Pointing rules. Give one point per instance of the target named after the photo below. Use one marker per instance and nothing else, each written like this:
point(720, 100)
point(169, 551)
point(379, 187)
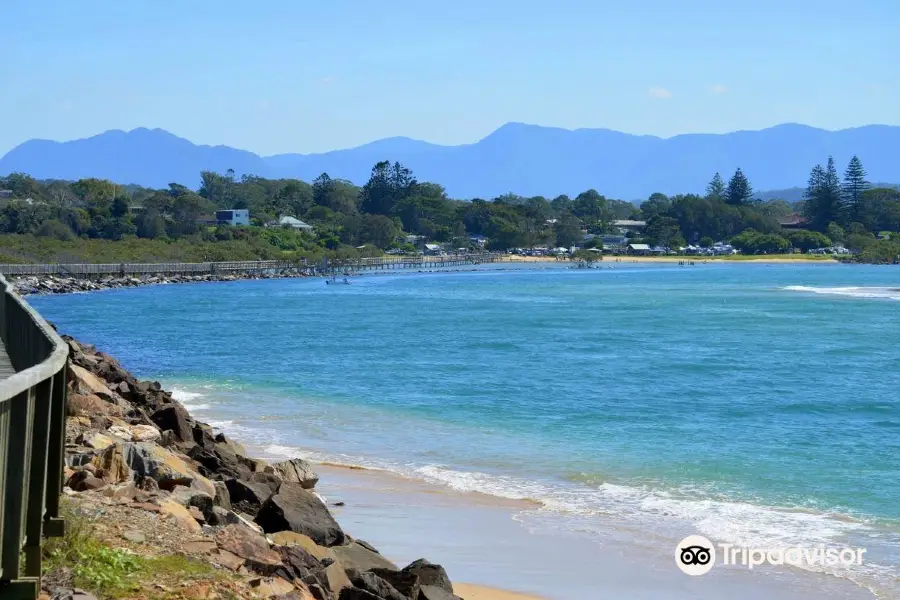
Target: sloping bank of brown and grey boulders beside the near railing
point(167, 481)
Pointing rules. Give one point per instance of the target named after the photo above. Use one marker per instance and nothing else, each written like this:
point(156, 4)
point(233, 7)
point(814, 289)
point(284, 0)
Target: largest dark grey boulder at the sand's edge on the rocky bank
point(295, 509)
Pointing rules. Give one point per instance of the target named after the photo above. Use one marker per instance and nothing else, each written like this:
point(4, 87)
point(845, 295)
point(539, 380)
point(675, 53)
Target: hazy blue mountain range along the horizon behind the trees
point(524, 159)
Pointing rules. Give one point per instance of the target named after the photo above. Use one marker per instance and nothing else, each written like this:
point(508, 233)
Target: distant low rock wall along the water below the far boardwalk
point(50, 284)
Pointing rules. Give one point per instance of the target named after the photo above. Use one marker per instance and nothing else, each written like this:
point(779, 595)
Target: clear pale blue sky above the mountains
point(276, 76)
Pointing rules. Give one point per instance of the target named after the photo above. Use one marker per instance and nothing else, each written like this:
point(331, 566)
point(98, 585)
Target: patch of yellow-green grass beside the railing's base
point(113, 573)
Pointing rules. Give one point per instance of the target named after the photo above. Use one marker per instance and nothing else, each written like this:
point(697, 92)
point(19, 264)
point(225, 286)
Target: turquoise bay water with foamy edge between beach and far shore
point(755, 404)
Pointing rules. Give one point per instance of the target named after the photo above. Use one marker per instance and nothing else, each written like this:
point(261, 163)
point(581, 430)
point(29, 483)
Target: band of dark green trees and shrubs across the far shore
point(98, 221)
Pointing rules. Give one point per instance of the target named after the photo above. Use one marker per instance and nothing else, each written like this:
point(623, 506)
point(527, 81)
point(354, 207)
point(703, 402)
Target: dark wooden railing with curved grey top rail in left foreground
point(32, 441)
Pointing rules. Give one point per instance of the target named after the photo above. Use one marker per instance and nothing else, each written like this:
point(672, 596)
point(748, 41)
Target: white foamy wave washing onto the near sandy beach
point(589, 505)
